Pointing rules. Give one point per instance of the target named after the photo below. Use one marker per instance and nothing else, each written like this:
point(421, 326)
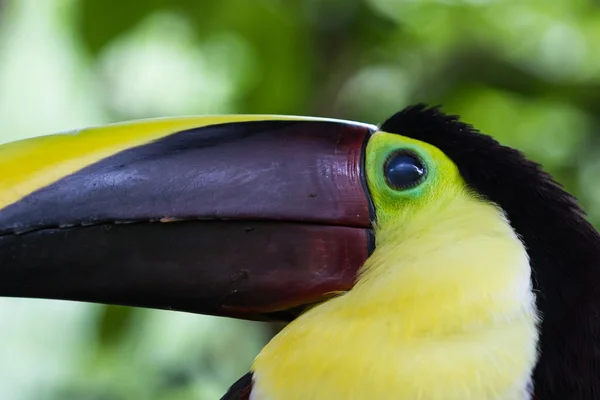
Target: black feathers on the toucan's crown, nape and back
point(563, 247)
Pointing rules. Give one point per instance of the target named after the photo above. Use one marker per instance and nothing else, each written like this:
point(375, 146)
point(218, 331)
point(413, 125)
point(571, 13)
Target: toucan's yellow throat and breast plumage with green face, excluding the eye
point(443, 309)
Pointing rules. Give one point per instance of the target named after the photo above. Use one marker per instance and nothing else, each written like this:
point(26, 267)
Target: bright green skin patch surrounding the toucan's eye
point(393, 204)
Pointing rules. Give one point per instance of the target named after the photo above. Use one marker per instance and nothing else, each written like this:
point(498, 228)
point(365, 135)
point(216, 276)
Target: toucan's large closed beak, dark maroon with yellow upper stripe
point(245, 219)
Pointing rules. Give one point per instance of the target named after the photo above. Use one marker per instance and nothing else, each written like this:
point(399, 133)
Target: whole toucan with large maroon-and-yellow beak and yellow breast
point(417, 259)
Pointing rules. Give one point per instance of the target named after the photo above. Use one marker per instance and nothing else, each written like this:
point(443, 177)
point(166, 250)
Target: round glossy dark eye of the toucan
point(404, 170)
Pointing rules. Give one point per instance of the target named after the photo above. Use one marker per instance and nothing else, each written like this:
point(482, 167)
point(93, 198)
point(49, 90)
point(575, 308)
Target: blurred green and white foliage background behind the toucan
point(524, 71)
